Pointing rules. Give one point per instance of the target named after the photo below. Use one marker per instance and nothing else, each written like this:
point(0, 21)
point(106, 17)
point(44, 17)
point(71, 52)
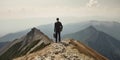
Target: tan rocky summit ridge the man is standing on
point(68, 49)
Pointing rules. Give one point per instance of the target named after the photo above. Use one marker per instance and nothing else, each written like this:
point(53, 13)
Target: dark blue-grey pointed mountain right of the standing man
point(99, 41)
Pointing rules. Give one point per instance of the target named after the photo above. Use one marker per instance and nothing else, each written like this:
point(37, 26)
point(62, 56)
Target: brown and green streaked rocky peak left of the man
point(31, 42)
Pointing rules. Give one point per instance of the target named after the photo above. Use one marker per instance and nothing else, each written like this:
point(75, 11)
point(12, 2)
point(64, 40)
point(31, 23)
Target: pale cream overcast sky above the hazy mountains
point(17, 15)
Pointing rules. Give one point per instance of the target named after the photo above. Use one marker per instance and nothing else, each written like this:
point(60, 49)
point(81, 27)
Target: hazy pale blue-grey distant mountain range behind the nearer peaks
point(111, 28)
